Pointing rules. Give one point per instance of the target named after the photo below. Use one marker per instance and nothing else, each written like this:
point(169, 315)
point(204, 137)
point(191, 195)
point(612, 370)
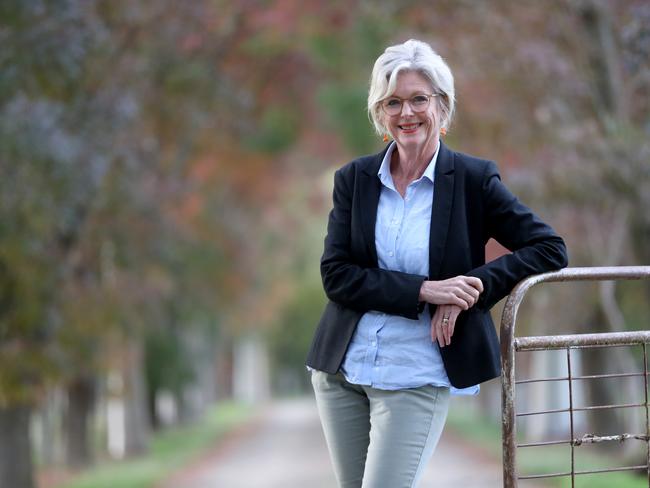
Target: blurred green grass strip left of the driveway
point(170, 451)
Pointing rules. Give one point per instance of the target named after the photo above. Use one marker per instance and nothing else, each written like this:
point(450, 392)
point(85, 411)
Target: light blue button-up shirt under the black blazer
point(390, 352)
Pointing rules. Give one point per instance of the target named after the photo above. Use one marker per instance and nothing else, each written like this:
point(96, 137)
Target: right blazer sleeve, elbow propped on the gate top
point(535, 246)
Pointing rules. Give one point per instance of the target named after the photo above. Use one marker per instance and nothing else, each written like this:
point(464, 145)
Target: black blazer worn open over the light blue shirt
point(470, 205)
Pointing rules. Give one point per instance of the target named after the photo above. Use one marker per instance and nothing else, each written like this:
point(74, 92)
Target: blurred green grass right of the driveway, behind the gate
point(485, 433)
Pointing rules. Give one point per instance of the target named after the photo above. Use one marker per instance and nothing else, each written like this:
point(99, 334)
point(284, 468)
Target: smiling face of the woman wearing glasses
point(410, 129)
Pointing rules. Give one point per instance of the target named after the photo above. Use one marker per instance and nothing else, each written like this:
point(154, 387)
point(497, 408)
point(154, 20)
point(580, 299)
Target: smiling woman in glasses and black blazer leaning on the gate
point(404, 269)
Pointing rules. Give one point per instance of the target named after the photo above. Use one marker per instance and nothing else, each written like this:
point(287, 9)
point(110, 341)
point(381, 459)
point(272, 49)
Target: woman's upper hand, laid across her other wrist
point(459, 290)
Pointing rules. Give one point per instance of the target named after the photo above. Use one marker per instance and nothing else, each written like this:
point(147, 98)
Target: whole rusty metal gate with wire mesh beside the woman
point(510, 345)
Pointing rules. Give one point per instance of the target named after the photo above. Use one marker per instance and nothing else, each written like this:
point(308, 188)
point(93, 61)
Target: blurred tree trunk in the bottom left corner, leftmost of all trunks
point(15, 449)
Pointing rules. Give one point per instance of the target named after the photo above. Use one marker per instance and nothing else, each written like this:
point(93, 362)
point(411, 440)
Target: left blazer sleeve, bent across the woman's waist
point(352, 285)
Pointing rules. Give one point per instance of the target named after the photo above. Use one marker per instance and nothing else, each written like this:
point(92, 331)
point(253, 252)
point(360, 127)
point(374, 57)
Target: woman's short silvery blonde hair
point(413, 55)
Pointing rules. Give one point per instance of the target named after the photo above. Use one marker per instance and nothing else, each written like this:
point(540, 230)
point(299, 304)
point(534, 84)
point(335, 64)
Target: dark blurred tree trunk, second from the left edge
point(81, 401)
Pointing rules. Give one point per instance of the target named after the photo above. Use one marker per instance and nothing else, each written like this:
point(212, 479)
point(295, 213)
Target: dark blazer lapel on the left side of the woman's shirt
point(370, 188)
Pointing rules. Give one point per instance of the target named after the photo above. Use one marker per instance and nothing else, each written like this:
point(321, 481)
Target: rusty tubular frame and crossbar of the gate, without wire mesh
point(507, 338)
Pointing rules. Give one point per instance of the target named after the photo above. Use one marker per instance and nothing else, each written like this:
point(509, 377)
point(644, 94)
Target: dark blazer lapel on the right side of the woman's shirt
point(443, 196)
